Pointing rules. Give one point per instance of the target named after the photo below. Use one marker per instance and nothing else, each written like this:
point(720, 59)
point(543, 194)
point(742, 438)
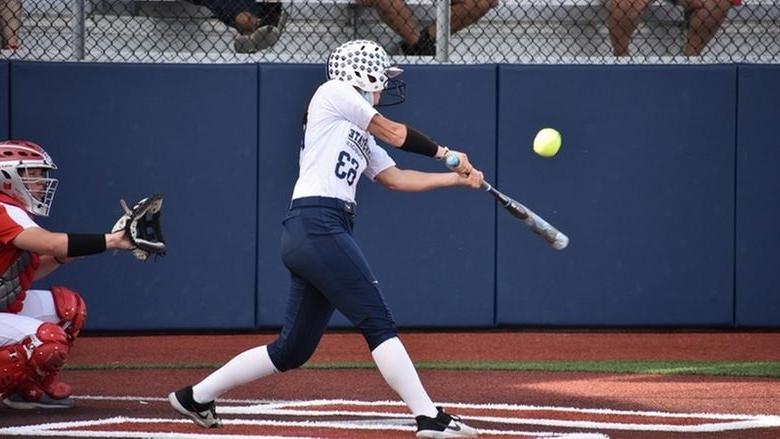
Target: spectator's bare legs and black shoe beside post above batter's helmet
point(419, 41)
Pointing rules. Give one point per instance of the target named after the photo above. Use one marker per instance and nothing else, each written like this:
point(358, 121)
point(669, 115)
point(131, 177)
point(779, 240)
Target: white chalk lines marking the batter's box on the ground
point(390, 420)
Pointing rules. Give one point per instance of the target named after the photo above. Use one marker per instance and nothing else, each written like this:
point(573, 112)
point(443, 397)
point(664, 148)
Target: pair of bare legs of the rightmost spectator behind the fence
point(703, 17)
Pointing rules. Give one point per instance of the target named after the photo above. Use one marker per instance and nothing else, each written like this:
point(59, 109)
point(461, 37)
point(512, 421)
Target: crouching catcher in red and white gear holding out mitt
point(38, 326)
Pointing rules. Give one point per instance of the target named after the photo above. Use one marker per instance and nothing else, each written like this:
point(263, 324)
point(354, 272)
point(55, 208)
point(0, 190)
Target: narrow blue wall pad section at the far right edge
point(758, 197)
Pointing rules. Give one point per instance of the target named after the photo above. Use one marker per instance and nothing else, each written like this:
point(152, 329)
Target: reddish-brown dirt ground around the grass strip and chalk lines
point(690, 394)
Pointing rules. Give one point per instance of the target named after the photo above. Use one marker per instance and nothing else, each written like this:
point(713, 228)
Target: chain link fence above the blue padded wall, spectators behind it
point(416, 31)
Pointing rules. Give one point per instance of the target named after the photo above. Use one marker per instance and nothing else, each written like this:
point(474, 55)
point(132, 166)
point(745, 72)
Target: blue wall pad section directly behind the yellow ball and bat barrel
point(644, 185)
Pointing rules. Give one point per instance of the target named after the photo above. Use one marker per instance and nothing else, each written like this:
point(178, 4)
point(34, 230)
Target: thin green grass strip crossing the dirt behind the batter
point(715, 368)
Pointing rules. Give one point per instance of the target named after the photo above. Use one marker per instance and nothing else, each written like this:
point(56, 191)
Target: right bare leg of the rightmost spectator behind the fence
point(706, 17)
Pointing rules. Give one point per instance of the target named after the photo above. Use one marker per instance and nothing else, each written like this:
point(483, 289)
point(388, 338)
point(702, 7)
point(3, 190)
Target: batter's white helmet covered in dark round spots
point(362, 63)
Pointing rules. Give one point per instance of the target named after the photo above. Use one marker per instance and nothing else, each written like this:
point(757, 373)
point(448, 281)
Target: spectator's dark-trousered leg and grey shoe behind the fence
point(259, 25)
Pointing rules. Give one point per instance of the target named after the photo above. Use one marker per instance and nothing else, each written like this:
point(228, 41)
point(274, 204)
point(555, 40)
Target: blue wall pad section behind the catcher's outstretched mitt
point(130, 130)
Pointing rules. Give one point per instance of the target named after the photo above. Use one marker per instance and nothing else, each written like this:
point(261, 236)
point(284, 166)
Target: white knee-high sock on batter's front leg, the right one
point(399, 372)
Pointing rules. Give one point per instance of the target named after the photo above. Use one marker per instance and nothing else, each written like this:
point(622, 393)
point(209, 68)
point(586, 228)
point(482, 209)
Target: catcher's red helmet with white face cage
point(35, 190)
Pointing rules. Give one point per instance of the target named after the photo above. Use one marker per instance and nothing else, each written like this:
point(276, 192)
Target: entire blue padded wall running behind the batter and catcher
point(666, 182)
